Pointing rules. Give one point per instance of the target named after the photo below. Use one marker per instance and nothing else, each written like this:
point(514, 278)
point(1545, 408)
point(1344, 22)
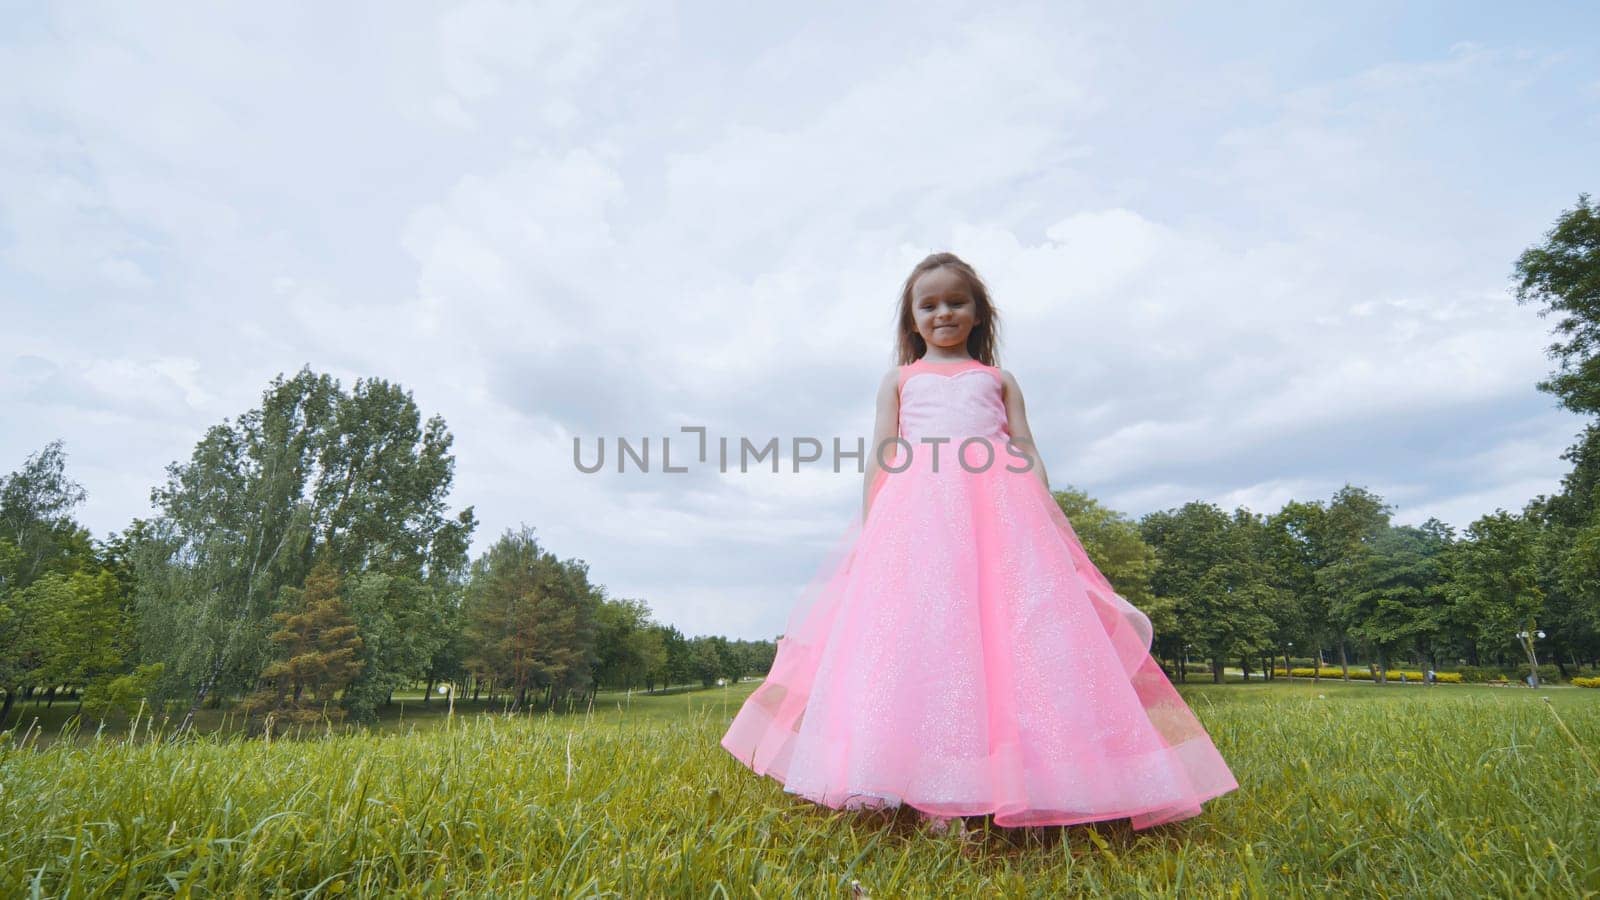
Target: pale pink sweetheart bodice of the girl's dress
point(951, 400)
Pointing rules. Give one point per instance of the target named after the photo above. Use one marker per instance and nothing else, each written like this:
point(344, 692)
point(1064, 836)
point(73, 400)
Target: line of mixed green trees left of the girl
point(305, 565)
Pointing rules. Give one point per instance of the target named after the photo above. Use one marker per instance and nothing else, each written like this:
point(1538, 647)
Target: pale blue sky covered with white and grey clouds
point(1241, 255)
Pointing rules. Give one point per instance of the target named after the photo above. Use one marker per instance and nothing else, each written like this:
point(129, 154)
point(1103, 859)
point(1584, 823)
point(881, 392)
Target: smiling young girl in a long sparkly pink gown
point(959, 653)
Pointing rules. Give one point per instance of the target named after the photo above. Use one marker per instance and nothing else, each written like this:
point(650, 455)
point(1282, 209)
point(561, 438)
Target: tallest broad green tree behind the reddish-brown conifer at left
point(313, 473)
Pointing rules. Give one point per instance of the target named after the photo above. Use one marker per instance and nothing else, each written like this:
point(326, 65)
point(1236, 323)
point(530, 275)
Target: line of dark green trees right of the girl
point(1340, 582)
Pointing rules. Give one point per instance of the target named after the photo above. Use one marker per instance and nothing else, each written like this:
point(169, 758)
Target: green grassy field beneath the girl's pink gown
point(1390, 792)
